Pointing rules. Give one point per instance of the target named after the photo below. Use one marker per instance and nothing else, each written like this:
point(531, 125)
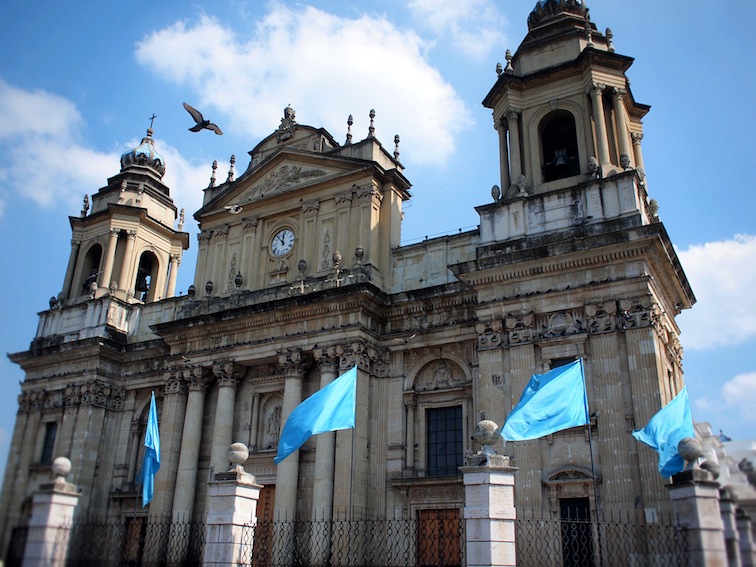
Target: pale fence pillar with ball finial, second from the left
point(232, 511)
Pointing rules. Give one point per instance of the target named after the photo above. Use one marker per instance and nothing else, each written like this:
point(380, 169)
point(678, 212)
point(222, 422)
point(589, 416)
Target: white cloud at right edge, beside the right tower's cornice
point(723, 277)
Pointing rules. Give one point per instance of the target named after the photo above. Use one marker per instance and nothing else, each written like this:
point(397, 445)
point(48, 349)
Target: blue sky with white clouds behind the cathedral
point(79, 81)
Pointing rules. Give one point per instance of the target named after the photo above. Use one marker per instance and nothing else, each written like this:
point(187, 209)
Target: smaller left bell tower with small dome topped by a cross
point(125, 245)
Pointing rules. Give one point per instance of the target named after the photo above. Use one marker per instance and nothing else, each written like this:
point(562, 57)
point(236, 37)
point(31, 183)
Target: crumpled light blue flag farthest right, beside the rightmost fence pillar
point(666, 429)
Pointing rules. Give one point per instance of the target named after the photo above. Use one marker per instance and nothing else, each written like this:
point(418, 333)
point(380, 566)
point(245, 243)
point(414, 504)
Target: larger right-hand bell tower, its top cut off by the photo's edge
point(562, 104)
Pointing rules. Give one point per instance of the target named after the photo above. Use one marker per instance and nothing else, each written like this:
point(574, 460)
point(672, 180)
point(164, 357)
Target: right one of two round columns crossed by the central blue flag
point(325, 443)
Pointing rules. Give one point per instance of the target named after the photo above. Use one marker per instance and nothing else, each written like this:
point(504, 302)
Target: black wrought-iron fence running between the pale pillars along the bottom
point(422, 541)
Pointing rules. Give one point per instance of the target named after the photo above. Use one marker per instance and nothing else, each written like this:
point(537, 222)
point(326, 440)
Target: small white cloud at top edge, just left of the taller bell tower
point(472, 25)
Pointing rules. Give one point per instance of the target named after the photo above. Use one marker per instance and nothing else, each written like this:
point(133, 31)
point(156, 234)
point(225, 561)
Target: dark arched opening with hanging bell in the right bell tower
point(559, 146)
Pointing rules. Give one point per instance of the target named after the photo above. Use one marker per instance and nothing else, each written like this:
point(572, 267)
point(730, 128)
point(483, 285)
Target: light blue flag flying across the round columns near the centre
point(330, 409)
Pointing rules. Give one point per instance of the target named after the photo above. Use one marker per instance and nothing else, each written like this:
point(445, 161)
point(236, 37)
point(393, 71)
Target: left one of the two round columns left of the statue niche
point(186, 475)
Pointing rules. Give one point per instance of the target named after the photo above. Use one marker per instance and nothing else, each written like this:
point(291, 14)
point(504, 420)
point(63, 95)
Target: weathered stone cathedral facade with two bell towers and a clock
point(300, 276)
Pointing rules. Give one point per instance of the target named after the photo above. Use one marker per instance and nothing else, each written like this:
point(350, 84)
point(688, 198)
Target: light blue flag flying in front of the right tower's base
point(551, 402)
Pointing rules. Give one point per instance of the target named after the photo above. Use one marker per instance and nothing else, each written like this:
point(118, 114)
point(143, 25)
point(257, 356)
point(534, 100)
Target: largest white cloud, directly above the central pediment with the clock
point(325, 66)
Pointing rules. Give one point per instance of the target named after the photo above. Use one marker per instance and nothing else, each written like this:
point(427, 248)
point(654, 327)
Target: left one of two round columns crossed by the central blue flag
point(287, 473)
